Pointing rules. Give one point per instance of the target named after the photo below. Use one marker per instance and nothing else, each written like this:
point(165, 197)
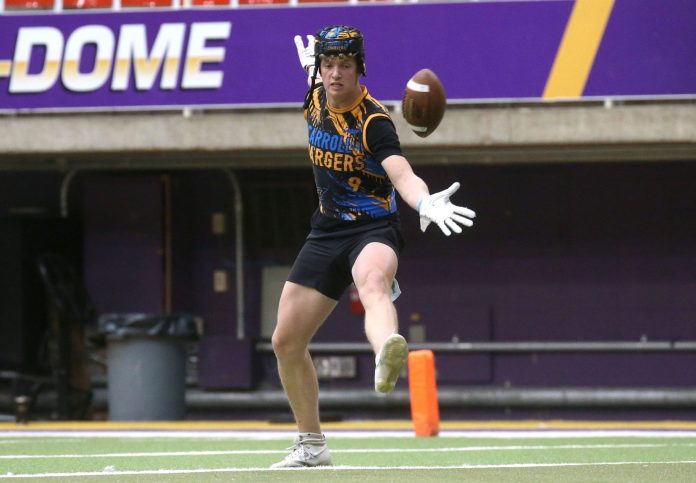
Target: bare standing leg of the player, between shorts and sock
point(301, 312)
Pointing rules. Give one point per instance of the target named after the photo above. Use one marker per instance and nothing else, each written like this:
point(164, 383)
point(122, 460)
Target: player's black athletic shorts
point(327, 256)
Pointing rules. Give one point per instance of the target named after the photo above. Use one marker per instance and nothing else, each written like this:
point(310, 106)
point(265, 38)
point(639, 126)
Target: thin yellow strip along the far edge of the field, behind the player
point(344, 425)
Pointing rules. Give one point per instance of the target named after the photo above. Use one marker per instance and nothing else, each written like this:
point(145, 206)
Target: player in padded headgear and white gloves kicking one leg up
point(355, 233)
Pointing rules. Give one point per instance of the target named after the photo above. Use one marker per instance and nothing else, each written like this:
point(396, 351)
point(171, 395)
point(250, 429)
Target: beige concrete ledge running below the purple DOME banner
point(483, 134)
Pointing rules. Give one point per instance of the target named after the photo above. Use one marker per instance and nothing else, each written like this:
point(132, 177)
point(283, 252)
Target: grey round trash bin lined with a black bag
point(146, 365)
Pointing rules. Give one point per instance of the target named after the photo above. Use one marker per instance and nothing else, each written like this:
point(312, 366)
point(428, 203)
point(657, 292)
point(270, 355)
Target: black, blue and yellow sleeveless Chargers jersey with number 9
point(350, 180)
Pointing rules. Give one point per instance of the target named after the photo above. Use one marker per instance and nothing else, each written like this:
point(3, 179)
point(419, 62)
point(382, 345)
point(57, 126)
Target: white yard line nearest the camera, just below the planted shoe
point(342, 468)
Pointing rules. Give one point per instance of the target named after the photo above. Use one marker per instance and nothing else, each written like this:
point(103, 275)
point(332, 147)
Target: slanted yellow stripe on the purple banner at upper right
point(578, 49)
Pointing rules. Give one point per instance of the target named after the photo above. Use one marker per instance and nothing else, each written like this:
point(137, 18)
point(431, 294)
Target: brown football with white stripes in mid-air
point(424, 102)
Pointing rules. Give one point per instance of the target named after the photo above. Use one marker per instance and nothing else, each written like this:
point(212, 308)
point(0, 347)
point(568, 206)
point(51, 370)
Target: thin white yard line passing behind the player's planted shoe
point(348, 451)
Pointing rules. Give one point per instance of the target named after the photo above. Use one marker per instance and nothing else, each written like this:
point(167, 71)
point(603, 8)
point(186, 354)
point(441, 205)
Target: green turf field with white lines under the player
point(472, 456)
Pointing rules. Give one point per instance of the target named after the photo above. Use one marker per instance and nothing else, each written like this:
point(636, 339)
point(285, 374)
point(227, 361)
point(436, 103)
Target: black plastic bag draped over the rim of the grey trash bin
point(148, 325)
